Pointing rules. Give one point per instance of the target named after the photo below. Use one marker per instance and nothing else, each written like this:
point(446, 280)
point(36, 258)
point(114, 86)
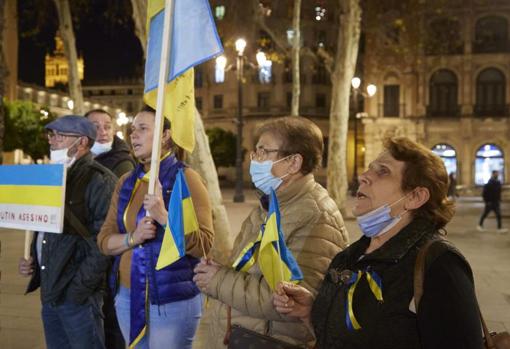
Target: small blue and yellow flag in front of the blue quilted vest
point(182, 220)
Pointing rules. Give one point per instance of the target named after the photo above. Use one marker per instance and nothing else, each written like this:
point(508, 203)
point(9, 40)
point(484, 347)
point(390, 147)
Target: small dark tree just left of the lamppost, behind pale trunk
point(223, 146)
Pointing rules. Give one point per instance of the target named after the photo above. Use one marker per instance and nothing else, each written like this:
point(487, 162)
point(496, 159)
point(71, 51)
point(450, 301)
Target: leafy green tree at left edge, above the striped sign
point(24, 128)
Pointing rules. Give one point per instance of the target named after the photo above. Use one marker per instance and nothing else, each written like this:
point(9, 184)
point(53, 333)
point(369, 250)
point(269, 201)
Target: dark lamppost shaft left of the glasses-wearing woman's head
point(239, 196)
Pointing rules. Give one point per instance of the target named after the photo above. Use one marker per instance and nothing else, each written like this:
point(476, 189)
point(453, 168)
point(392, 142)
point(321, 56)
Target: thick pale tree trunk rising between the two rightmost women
point(344, 68)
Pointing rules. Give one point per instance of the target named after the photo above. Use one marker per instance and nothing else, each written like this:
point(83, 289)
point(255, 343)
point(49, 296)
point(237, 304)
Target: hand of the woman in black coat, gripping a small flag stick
point(293, 300)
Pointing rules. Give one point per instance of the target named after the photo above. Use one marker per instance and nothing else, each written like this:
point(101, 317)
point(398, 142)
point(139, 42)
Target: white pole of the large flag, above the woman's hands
point(160, 102)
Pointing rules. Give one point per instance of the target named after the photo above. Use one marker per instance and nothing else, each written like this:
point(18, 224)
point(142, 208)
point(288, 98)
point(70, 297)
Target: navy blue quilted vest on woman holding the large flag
point(170, 284)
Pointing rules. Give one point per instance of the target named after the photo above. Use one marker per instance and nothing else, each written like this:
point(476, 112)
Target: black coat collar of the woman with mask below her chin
point(397, 247)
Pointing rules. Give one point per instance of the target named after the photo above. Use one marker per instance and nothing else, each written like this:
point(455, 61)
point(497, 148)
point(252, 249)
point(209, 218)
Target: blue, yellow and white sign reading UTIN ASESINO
point(32, 197)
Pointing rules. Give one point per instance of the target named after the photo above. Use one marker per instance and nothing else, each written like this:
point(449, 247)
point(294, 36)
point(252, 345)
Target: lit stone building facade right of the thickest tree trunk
point(451, 93)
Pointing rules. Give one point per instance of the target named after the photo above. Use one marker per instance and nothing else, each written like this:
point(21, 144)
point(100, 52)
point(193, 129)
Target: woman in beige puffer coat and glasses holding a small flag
point(296, 221)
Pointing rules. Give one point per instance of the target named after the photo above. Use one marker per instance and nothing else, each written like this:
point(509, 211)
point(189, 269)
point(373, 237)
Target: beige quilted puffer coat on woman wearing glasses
point(314, 232)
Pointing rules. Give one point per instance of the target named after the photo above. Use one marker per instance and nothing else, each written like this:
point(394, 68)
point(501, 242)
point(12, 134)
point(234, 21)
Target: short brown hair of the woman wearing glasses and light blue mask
point(299, 136)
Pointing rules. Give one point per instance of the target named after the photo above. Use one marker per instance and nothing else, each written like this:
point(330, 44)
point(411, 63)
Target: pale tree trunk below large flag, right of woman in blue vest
point(201, 160)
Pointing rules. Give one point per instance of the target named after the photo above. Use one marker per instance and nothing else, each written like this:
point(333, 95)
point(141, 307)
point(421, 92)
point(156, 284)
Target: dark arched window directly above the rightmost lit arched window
point(490, 93)
